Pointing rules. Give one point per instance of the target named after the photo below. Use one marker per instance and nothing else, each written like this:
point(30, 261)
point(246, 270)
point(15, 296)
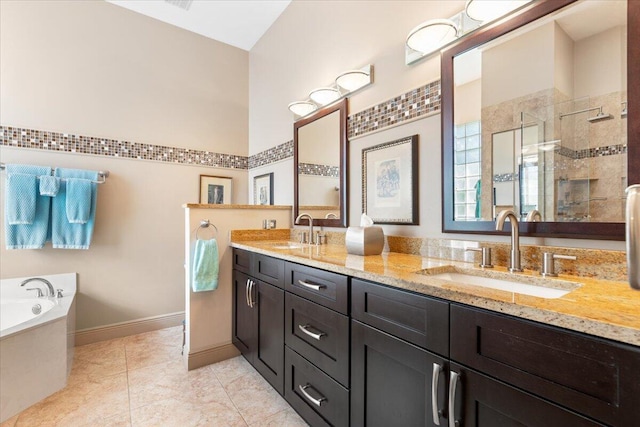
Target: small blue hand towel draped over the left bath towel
point(21, 198)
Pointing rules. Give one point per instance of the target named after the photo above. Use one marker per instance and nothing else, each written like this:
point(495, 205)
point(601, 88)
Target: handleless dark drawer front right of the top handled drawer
point(421, 320)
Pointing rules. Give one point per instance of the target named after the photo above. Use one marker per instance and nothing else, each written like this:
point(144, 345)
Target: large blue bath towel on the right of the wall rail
point(64, 234)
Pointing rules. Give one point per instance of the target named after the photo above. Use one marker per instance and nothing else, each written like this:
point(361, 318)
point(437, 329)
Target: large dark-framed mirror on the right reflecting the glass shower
point(538, 117)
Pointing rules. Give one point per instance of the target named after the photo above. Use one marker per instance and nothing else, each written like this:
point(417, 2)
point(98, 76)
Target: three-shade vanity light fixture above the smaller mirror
point(344, 85)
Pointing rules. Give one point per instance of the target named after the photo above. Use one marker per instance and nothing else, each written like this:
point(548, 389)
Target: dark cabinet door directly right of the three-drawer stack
point(393, 382)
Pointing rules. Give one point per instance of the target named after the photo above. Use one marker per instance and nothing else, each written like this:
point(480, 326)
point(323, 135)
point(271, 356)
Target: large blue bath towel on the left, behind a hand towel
point(34, 235)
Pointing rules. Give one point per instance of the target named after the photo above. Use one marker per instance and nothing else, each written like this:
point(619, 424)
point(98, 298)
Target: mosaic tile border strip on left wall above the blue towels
point(81, 144)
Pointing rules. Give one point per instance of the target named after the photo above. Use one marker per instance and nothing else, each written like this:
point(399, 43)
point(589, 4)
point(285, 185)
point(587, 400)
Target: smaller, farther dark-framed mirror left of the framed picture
point(320, 172)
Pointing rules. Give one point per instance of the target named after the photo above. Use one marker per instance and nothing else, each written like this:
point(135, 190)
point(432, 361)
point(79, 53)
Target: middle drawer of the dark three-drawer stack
point(320, 335)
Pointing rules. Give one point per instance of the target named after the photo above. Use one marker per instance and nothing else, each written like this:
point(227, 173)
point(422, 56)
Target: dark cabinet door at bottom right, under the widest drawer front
point(481, 401)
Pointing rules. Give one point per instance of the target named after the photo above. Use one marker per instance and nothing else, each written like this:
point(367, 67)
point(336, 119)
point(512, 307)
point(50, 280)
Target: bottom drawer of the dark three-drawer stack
point(320, 400)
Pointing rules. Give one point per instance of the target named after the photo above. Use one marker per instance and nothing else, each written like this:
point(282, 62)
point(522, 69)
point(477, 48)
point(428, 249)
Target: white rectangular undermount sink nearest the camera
point(527, 285)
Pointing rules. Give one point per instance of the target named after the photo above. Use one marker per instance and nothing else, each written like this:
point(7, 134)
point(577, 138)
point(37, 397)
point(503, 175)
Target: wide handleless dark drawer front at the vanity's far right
point(589, 375)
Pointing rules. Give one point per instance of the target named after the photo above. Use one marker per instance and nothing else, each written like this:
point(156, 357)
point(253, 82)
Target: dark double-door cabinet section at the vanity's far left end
point(258, 322)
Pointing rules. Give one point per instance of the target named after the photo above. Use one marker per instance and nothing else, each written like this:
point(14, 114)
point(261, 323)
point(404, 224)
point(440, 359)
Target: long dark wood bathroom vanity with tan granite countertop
point(374, 341)
